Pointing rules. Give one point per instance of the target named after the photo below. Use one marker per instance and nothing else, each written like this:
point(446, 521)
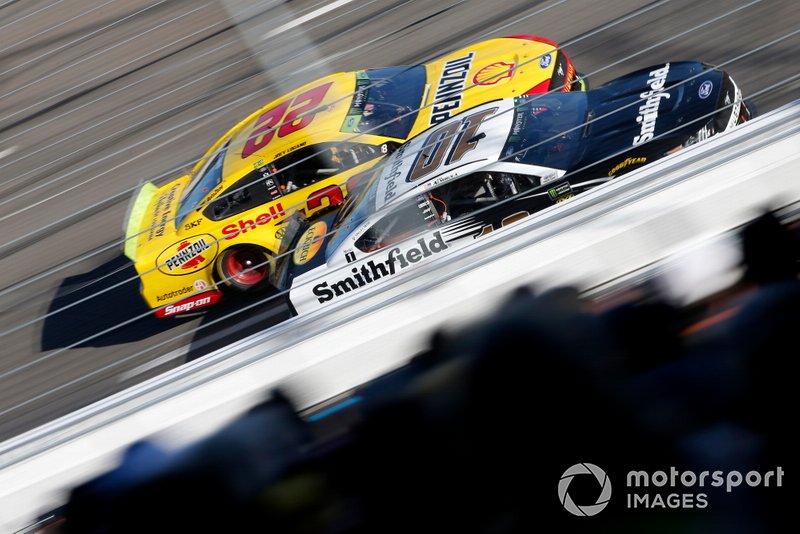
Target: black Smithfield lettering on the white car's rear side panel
point(371, 271)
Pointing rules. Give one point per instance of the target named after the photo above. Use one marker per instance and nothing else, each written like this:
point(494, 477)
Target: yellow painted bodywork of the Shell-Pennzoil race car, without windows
point(178, 261)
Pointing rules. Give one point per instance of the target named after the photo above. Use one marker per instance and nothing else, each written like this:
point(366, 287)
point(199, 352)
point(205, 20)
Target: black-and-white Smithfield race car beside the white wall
point(492, 166)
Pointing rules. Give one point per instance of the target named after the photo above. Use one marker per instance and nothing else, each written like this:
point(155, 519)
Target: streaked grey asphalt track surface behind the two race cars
point(98, 95)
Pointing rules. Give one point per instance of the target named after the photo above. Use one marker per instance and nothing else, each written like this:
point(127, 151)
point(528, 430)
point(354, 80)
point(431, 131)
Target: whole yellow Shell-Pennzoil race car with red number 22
point(196, 238)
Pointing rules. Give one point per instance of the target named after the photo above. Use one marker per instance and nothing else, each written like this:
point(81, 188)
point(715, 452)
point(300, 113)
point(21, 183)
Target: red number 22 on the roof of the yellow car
point(292, 115)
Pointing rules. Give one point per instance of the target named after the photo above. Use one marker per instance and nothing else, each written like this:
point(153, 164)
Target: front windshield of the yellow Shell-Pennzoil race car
point(386, 101)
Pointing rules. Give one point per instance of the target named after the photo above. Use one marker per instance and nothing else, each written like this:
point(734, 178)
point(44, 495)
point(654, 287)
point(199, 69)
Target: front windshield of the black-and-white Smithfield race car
point(548, 130)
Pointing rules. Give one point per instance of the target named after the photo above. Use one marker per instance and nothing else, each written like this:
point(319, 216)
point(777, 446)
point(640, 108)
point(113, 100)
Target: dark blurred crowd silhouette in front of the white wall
point(474, 434)
